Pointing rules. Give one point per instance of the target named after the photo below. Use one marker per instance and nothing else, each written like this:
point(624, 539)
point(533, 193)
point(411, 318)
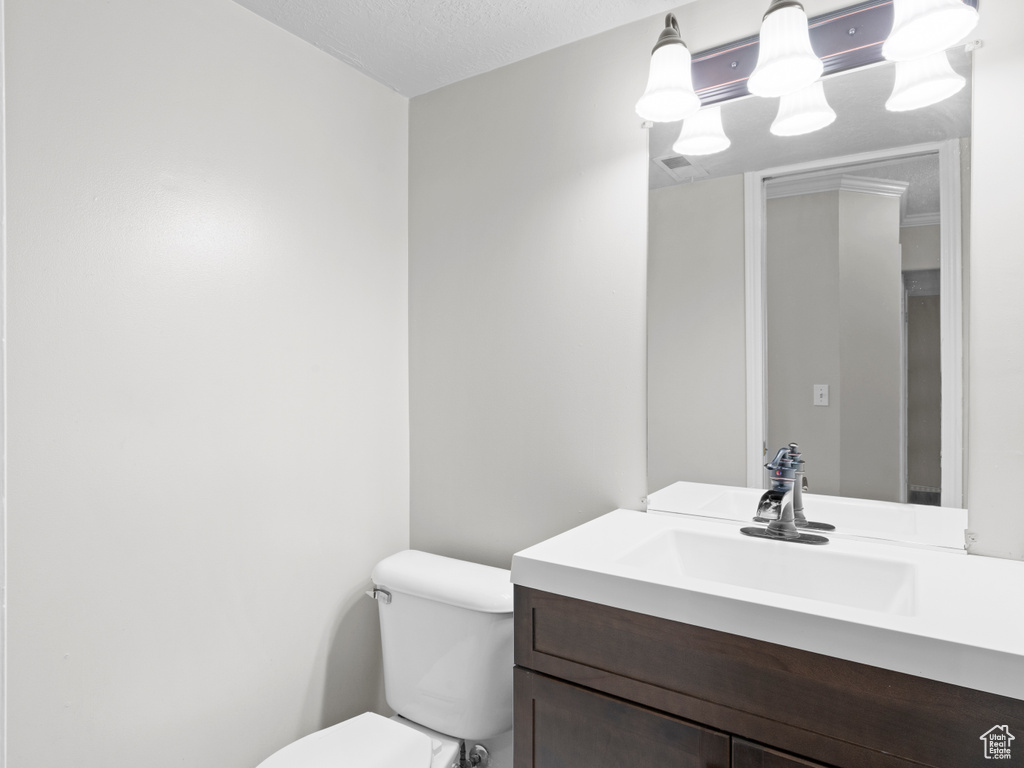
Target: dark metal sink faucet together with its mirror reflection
point(783, 505)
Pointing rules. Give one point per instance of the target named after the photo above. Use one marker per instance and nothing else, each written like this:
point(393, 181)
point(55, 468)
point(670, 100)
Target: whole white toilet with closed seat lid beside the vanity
point(447, 643)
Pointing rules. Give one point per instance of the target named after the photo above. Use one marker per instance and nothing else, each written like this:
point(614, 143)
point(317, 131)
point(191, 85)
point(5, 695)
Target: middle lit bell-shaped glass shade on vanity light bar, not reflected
point(786, 61)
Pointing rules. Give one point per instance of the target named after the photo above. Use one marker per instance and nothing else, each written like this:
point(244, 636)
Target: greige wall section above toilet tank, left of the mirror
point(528, 252)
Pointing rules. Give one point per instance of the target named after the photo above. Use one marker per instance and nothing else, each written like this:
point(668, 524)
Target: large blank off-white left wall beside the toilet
point(208, 418)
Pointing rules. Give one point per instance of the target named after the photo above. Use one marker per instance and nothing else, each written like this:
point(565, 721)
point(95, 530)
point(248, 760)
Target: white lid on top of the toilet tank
point(466, 585)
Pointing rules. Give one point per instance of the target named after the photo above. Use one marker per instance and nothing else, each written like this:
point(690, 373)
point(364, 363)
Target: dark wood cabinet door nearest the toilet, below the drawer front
point(559, 726)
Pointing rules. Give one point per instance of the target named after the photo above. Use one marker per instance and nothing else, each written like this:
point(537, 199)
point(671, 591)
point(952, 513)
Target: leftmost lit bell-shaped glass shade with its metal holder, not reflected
point(670, 94)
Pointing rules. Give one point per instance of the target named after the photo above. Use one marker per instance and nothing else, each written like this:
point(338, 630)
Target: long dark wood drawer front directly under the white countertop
point(837, 712)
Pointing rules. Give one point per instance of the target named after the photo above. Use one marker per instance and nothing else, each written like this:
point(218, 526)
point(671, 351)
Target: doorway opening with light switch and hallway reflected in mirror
point(852, 268)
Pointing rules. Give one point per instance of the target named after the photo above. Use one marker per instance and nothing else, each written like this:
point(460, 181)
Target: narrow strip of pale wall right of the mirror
point(997, 414)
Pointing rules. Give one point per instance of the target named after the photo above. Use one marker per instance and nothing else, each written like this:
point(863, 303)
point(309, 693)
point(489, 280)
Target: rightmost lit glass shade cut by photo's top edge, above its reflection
point(925, 27)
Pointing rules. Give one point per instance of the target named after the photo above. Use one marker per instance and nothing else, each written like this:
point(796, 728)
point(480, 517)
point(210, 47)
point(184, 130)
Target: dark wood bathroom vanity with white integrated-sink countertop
point(665, 641)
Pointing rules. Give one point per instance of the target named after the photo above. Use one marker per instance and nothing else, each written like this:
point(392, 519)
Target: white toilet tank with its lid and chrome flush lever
point(447, 641)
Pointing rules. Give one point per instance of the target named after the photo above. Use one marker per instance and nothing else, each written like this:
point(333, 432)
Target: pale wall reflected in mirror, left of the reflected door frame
point(697, 388)
